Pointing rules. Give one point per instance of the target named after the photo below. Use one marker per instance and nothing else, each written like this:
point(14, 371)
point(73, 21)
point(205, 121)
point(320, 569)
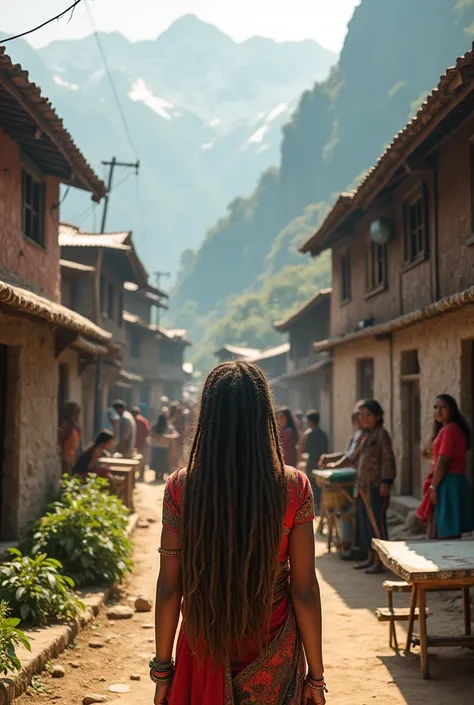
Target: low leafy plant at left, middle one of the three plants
point(36, 590)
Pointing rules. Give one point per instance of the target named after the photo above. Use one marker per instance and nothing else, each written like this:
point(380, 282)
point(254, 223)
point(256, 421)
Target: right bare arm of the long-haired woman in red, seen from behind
point(306, 596)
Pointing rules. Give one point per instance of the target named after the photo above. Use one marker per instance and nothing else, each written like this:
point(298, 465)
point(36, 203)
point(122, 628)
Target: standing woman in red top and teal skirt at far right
point(447, 506)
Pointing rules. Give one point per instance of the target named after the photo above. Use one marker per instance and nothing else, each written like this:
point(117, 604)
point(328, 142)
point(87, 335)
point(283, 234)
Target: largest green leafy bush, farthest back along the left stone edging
point(86, 529)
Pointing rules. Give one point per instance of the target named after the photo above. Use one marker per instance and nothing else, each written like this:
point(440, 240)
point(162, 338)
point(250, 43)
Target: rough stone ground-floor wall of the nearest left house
point(31, 472)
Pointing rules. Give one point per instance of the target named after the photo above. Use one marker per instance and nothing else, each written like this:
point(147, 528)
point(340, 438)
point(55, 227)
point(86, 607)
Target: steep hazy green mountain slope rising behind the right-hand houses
point(248, 272)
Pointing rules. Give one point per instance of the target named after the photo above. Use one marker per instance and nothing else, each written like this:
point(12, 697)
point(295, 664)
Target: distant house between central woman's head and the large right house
point(308, 375)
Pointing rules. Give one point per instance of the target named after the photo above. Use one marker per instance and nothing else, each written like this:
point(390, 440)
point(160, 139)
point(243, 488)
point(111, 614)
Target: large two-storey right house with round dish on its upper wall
point(402, 321)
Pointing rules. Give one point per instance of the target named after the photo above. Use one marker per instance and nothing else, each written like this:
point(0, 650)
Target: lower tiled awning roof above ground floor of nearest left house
point(30, 303)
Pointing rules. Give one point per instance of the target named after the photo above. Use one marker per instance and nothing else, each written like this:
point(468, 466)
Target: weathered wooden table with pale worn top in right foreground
point(432, 566)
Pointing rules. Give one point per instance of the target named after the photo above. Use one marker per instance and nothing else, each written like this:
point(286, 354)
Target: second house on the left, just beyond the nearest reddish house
point(94, 269)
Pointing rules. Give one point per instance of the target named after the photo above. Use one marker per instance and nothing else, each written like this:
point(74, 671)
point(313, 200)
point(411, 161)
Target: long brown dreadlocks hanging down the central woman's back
point(234, 506)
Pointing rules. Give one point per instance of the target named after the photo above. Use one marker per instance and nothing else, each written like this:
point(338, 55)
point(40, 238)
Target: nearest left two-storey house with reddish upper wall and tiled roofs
point(37, 154)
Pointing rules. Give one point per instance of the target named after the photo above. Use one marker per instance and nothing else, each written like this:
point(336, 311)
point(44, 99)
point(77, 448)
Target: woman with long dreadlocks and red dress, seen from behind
point(237, 557)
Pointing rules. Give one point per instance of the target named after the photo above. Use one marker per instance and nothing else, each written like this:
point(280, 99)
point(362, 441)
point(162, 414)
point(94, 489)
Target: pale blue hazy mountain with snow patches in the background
point(204, 115)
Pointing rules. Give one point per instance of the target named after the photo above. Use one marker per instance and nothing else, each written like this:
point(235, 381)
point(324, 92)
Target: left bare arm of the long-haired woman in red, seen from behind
point(169, 593)
